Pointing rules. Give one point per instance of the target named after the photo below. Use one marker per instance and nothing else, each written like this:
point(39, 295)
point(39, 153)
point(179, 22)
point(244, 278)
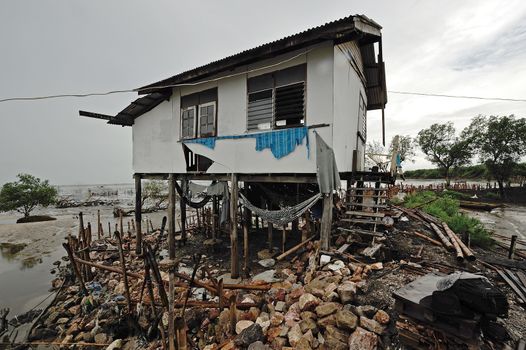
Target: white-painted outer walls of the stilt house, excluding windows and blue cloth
point(332, 93)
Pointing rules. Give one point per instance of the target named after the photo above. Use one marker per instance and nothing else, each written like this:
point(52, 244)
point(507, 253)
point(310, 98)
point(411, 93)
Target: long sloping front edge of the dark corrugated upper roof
point(288, 43)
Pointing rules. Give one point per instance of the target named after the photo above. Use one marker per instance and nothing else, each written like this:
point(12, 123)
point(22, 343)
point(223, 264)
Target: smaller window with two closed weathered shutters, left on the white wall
point(198, 114)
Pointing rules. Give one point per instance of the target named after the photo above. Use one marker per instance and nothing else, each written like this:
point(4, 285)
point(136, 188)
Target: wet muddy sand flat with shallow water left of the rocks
point(28, 251)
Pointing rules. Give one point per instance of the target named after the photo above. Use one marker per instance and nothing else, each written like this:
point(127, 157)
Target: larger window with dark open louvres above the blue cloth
point(277, 99)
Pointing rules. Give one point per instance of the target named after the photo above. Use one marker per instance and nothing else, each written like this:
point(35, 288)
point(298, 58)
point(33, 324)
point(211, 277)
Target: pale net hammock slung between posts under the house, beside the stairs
point(282, 216)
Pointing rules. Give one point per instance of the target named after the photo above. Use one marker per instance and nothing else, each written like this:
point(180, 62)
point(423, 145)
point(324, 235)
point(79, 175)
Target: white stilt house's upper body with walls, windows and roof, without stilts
point(212, 119)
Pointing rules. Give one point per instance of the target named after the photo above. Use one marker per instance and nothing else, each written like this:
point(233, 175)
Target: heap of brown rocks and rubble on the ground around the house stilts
point(313, 299)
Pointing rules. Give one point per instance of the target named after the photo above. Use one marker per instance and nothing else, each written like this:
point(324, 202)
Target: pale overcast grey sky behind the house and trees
point(51, 47)
